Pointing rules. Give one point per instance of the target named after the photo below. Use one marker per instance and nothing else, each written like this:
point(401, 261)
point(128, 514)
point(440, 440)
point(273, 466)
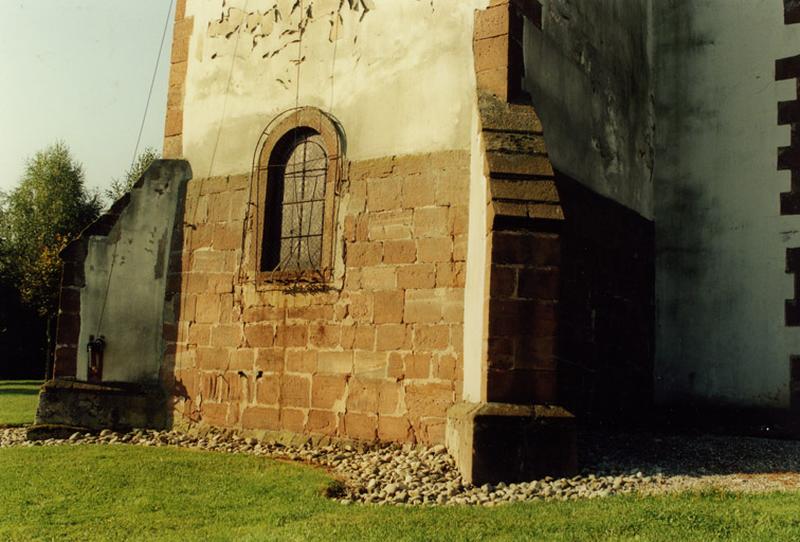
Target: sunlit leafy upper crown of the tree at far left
point(38, 218)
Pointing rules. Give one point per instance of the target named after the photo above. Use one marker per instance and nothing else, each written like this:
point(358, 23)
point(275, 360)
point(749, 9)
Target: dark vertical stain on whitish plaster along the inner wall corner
point(688, 219)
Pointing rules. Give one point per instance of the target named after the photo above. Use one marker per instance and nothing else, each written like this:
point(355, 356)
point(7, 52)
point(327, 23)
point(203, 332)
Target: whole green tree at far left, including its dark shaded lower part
point(48, 209)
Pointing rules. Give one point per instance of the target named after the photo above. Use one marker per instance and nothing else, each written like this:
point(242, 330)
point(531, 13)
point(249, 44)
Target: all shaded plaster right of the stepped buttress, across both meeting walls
point(670, 109)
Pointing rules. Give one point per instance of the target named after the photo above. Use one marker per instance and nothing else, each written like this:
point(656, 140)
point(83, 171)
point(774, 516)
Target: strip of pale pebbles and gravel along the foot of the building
point(407, 475)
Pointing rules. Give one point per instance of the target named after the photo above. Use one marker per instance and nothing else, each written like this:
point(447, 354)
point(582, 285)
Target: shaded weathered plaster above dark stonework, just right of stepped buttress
point(588, 70)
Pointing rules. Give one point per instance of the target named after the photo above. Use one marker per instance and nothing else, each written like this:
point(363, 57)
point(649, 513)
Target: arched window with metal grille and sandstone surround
point(297, 175)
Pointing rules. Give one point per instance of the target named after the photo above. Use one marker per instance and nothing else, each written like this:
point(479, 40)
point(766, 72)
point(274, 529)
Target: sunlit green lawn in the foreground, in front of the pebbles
point(121, 492)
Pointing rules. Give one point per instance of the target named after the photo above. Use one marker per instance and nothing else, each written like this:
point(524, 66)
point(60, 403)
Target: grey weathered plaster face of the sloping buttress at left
point(126, 274)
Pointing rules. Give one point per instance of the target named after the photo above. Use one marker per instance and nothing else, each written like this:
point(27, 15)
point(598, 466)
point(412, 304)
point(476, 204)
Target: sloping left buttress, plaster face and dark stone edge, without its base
point(114, 278)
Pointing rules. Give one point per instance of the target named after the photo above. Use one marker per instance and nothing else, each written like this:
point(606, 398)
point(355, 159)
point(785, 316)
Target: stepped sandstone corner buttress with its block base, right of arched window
point(510, 427)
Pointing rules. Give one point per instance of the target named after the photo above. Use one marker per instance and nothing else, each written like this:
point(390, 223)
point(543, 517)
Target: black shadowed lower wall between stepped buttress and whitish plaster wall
point(607, 307)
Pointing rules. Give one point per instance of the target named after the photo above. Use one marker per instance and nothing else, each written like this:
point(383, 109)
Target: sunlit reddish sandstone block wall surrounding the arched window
point(376, 355)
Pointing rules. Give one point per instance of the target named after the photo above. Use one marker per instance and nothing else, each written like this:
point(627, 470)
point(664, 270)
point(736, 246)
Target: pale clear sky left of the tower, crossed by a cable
point(79, 71)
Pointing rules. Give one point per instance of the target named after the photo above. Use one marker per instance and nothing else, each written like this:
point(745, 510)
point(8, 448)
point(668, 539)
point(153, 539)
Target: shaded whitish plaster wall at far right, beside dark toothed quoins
point(721, 242)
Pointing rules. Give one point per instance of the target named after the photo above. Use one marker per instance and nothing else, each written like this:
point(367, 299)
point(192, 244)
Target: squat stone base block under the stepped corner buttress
point(494, 442)
